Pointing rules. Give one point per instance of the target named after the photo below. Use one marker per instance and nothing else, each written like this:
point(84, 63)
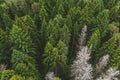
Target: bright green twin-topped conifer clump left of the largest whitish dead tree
point(55, 56)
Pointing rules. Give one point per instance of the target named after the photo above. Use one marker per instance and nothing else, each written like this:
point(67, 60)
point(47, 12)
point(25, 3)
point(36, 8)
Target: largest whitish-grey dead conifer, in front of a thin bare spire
point(80, 68)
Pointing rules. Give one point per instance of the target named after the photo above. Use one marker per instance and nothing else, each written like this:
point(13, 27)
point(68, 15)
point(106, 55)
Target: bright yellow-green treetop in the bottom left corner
point(7, 74)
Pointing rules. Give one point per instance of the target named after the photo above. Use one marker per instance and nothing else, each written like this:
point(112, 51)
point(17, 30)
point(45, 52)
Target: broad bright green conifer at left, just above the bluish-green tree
point(20, 39)
